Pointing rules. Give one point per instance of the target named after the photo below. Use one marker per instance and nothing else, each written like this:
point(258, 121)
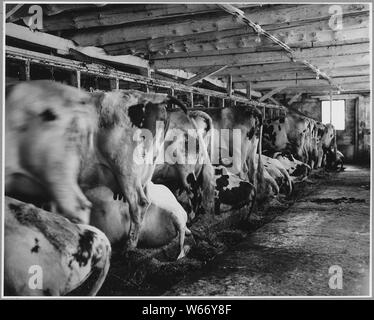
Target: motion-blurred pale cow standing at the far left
point(49, 127)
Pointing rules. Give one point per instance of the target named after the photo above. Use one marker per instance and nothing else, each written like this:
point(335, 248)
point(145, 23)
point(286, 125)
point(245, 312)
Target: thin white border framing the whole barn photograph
point(228, 298)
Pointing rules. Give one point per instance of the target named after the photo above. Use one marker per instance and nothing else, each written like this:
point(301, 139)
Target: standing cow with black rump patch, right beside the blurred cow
point(128, 140)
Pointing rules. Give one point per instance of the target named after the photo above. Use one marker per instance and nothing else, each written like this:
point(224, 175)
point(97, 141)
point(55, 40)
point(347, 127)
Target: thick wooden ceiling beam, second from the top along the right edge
point(296, 35)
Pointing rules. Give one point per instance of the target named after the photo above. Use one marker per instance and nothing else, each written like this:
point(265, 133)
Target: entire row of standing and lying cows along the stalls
point(75, 189)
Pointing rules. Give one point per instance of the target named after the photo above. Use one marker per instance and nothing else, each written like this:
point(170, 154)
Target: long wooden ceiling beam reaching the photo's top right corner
point(212, 23)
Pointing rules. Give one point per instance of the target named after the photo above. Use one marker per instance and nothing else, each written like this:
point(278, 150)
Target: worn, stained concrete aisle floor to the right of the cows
point(292, 254)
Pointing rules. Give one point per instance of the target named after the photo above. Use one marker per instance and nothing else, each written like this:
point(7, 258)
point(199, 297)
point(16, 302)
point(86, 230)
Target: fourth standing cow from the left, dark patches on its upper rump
point(239, 155)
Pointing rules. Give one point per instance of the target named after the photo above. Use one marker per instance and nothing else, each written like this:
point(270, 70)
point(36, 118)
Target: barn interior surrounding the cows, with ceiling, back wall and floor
point(312, 58)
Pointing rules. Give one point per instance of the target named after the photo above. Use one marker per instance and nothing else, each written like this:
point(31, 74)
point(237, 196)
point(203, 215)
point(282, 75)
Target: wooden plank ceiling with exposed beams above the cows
point(197, 37)
